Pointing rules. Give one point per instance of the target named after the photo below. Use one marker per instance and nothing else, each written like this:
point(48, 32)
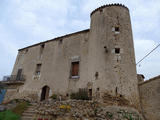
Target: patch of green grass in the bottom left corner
point(9, 115)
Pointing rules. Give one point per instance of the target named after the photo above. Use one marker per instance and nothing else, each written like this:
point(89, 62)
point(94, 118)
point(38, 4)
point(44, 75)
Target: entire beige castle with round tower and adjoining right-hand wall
point(100, 59)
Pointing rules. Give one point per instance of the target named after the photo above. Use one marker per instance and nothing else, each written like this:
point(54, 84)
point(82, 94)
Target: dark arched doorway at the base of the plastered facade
point(45, 93)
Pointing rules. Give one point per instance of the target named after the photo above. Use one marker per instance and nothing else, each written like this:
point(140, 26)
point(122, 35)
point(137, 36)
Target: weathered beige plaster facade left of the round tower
point(56, 63)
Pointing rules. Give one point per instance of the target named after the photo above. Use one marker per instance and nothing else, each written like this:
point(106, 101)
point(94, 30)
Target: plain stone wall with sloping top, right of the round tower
point(150, 98)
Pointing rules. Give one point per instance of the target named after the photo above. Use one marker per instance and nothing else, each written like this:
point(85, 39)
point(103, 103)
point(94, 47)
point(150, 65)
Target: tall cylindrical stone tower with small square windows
point(112, 67)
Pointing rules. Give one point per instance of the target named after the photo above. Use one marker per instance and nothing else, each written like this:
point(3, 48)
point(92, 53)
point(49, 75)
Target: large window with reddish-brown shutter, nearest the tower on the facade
point(75, 69)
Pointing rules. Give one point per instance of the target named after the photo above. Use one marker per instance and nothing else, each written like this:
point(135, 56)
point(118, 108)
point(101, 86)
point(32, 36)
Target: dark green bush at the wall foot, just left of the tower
point(82, 94)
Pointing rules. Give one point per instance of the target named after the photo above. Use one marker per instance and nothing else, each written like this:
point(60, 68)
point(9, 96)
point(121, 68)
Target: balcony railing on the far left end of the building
point(14, 79)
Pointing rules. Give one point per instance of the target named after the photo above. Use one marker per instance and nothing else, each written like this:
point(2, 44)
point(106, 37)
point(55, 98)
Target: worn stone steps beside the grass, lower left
point(29, 113)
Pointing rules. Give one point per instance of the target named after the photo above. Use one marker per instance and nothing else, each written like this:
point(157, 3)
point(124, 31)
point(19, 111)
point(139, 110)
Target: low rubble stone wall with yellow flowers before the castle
point(84, 110)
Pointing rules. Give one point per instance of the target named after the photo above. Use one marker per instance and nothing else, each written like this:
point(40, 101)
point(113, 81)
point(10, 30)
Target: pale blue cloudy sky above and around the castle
point(26, 22)
